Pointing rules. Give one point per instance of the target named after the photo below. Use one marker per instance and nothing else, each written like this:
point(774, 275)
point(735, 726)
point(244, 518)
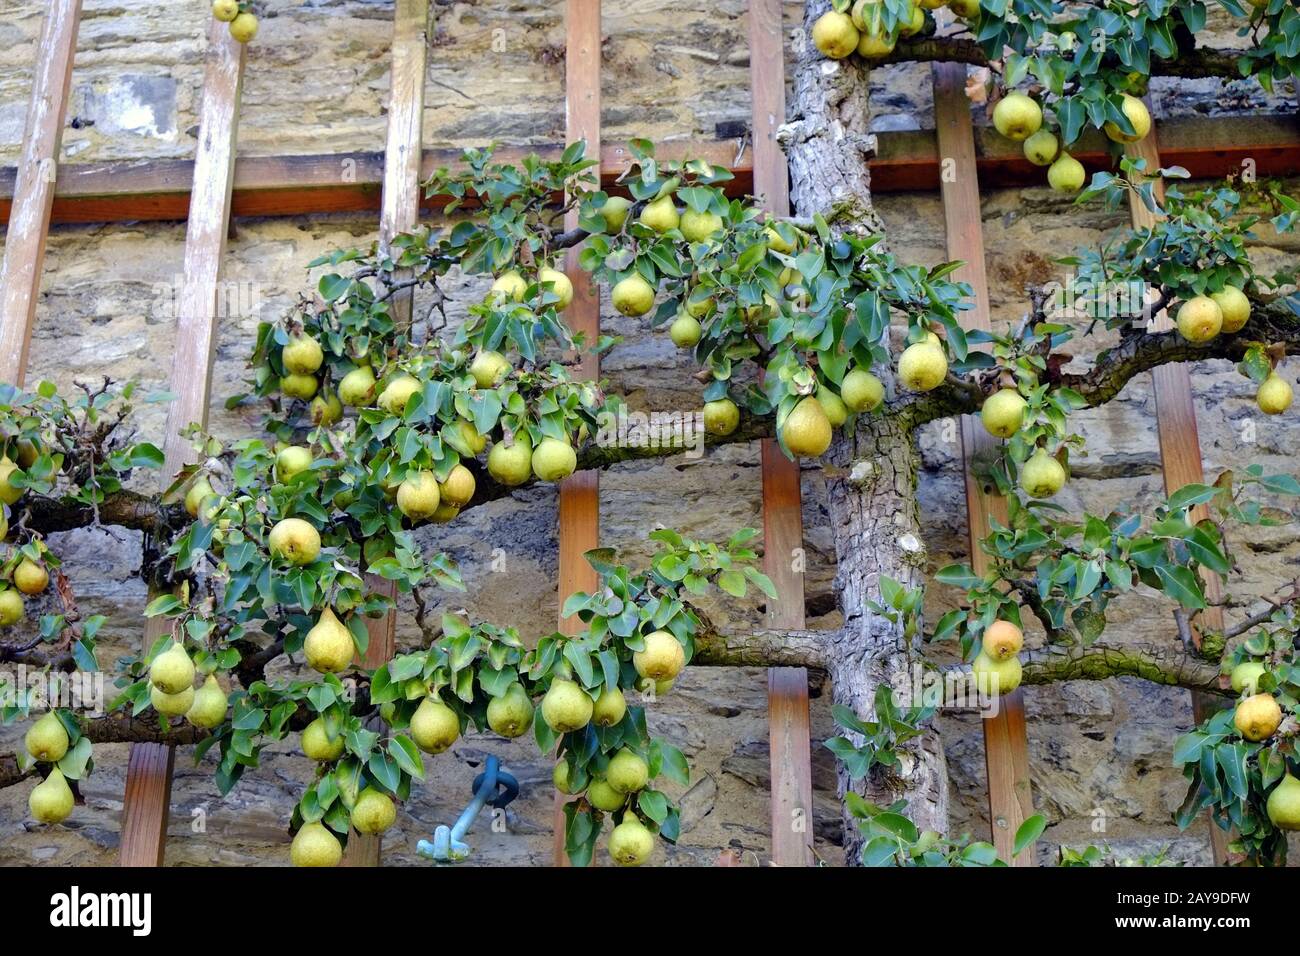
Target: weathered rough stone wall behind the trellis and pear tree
point(674, 70)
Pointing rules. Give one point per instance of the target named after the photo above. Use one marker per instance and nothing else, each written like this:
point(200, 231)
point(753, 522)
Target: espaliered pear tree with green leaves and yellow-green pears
point(379, 430)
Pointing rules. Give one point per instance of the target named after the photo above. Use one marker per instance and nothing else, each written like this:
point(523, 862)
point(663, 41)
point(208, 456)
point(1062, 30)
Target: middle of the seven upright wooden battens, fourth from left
point(580, 494)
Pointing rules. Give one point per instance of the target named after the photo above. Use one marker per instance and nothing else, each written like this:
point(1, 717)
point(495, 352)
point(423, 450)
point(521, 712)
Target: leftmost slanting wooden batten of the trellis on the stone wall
point(34, 191)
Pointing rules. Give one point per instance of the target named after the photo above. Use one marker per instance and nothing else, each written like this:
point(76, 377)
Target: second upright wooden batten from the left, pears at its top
point(149, 773)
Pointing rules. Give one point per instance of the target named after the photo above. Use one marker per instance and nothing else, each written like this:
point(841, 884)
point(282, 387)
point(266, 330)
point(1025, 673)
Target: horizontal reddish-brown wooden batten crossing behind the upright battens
point(159, 191)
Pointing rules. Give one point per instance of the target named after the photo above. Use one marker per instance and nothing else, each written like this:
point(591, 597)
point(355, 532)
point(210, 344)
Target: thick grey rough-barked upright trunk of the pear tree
point(873, 479)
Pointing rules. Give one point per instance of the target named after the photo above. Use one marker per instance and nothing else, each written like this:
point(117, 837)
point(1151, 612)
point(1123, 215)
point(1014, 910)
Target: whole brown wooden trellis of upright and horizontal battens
point(205, 188)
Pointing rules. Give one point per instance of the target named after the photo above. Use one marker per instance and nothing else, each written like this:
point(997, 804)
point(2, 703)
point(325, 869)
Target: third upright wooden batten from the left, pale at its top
point(400, 214)
